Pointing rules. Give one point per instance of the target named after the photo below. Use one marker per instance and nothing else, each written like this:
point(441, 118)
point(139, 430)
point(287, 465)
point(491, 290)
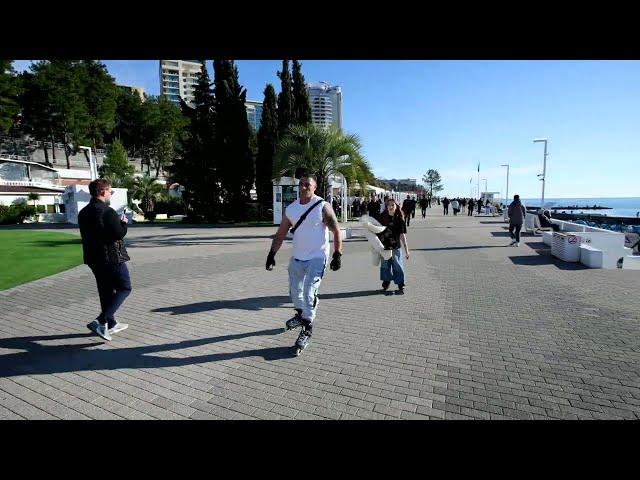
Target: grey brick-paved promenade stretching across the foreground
point(484, 331)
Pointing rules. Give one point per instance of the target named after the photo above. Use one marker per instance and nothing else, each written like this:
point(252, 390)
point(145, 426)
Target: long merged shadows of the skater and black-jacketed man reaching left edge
point(40, 359)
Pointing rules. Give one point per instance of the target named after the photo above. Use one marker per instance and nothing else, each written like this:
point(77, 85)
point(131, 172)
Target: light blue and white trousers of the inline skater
point(305, 277)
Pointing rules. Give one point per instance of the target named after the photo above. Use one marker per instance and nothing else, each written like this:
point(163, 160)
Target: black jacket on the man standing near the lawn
point(102, 233)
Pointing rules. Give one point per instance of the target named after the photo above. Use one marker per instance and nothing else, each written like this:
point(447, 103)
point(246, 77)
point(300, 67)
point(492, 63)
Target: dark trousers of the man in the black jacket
point(114, 286)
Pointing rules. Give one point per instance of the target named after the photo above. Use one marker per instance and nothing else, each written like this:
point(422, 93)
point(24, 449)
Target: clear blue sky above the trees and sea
point(450, 116)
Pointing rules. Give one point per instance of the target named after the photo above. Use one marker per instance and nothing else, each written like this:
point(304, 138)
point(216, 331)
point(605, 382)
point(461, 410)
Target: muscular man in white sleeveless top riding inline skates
point(309, 256)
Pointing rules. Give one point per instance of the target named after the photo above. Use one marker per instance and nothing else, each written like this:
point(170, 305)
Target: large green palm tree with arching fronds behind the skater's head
point(323, 153)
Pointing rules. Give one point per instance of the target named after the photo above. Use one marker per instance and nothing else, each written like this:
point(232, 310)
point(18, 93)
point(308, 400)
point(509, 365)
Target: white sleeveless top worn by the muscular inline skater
point(311, 238)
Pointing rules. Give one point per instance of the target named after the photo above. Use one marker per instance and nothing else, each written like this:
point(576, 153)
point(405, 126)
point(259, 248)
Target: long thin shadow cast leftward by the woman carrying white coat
point(254, 303)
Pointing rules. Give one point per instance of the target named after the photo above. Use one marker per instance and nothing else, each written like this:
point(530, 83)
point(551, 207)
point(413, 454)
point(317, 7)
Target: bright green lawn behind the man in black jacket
point(29, 255)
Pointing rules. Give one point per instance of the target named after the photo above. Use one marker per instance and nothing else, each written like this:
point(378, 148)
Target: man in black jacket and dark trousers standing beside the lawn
point(104, 252)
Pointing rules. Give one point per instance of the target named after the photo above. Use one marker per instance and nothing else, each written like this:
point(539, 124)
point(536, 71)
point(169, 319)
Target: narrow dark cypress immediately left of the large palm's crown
point(267, 143)
